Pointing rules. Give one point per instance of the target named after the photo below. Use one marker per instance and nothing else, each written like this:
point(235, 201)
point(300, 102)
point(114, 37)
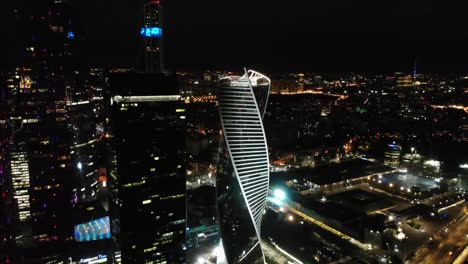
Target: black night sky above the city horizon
point(293, 35)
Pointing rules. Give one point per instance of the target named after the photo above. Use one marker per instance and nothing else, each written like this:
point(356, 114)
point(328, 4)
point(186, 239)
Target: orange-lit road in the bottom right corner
point(454, 239)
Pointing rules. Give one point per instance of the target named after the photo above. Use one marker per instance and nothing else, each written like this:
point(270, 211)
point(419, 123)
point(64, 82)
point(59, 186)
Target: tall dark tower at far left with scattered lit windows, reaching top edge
point(39, 117)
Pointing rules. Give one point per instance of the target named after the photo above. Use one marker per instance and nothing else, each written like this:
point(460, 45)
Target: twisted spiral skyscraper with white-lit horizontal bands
point(243, 169)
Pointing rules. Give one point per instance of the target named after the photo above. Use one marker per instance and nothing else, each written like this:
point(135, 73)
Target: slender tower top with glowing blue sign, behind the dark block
point(152, 34)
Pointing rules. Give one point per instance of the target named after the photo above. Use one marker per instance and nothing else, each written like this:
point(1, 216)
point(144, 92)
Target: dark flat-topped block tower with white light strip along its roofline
point(148, 128)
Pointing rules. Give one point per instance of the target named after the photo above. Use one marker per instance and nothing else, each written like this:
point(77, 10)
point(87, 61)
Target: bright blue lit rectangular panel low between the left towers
point(93, 230)
